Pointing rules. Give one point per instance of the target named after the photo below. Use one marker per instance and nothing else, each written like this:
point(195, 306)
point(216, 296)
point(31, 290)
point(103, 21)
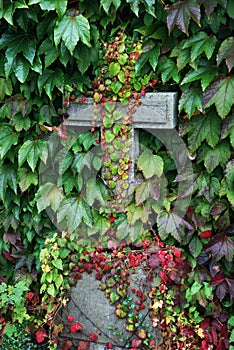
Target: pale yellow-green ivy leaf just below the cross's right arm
point(150, 164)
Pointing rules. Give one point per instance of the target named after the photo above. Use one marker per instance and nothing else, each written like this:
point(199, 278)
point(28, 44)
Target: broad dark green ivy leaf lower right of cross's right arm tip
point(201, 128)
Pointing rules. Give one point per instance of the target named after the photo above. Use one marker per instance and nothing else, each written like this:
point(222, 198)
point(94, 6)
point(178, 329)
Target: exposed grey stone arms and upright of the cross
point(156, 111)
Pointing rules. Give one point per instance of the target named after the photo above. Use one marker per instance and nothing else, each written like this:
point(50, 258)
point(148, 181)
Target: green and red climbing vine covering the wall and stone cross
point(55, 53)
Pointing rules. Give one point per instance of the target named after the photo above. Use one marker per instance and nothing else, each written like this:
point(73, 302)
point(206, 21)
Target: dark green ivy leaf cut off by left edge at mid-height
point(7, 178)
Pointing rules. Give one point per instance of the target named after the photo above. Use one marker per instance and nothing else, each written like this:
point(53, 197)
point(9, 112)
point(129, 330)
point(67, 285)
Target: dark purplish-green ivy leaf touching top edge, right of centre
point(181, 13)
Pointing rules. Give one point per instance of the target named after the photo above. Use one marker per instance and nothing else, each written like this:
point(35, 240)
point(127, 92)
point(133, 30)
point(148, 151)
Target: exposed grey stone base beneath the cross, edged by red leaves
point(89, 306)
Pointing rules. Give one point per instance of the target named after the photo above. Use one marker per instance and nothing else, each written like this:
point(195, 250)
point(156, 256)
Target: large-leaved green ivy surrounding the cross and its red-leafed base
point(50, 53)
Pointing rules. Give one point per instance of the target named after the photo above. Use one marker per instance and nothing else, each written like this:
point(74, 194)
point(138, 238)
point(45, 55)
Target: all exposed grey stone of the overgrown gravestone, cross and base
point(87, 303)
